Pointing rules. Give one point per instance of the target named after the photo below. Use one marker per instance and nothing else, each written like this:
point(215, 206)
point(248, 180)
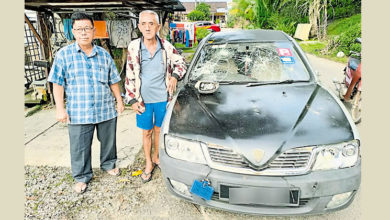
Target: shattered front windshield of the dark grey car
point(249, 62)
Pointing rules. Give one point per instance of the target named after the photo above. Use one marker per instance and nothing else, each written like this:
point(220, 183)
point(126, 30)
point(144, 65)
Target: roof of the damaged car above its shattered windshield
point(248, 35)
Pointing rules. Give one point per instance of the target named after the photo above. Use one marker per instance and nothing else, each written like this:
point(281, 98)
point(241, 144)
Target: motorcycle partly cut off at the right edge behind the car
point(349, 91)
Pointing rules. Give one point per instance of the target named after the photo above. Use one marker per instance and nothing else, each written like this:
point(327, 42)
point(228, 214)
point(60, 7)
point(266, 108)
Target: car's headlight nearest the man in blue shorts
point(184, 149)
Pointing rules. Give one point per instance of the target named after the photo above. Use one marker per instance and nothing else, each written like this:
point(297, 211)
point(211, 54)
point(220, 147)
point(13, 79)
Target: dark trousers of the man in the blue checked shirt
point(81, 136)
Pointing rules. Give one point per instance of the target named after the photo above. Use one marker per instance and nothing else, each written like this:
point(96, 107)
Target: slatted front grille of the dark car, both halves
point(297, 158)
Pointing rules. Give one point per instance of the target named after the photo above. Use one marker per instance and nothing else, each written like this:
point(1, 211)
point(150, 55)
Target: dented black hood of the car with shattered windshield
point(272, 118)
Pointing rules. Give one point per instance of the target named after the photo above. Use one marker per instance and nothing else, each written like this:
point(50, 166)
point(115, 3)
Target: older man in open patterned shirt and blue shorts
point(153, 68)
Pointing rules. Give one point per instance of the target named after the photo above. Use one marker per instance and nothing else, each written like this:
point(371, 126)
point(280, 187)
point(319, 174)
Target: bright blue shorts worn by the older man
point(145, 120)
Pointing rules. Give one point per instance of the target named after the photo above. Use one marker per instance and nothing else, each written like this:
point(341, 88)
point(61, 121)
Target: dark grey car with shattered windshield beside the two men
point(251, 130)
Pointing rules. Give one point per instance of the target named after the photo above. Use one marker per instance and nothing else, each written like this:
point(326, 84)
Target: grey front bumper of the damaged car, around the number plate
point(316, 189)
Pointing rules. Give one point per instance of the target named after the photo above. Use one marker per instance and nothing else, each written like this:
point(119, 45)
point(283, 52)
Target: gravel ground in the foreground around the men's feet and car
point(49, 195)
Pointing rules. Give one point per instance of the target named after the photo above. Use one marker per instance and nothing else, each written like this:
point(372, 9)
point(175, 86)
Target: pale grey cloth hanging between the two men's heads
point(119, 32)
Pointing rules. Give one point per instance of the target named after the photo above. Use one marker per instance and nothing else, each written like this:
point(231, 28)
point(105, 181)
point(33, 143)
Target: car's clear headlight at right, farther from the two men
point(337, 156)
